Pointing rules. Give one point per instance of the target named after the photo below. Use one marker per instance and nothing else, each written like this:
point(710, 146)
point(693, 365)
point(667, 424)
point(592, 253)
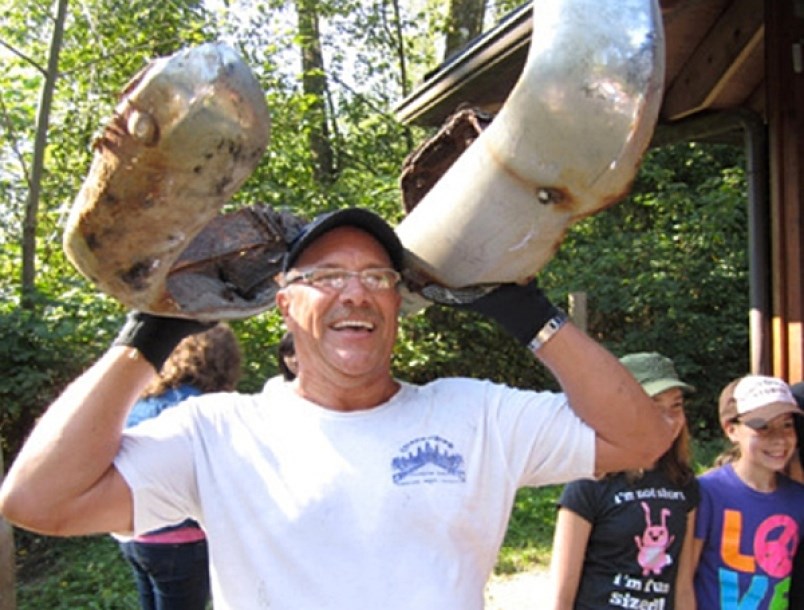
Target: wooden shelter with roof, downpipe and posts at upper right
point(734, 72)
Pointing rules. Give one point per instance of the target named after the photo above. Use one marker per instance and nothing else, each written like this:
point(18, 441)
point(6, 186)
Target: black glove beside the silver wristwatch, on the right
point(521, 310)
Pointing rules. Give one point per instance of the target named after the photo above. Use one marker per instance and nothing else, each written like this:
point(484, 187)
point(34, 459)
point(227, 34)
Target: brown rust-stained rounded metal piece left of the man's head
point(187, 132)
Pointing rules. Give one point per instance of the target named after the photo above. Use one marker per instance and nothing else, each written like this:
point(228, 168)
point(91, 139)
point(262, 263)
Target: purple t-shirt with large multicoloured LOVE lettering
point(749, 541)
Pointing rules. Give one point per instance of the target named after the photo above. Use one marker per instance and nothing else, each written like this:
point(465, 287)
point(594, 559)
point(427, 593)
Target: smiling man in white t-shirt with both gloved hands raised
point(344, 488)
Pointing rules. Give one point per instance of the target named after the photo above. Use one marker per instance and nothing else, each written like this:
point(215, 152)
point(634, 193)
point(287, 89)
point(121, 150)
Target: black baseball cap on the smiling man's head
point(360, 218)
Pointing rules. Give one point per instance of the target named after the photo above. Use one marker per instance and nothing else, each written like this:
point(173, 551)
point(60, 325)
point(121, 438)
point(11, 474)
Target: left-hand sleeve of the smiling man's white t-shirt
point(156, 461)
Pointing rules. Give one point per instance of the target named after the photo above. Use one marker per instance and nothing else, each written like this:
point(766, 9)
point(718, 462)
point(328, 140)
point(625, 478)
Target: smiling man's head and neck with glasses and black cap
point(340, 301)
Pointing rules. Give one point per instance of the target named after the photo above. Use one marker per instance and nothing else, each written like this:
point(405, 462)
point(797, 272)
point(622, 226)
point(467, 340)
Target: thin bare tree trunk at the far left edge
point(40, 143)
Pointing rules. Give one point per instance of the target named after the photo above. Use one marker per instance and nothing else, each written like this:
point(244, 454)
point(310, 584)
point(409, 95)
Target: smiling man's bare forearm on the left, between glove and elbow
point(74, 443)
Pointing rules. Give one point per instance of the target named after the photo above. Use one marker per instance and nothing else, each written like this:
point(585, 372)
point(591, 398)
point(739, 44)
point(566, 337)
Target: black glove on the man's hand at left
point(155, 337)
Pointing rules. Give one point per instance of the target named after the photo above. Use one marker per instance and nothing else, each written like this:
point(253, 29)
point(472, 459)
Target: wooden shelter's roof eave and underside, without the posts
point(714, 61)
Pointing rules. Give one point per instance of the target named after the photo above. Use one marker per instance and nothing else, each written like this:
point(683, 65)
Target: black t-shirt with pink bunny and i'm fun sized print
point(637, 532)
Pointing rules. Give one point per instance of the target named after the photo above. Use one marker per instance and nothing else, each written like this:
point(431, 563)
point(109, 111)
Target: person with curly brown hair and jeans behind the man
point(171, 564)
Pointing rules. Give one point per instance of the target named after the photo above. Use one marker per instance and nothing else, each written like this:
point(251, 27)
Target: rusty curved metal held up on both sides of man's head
point(191, 128)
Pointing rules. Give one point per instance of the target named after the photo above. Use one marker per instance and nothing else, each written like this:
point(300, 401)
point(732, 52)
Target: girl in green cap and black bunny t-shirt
point(620, 541)
